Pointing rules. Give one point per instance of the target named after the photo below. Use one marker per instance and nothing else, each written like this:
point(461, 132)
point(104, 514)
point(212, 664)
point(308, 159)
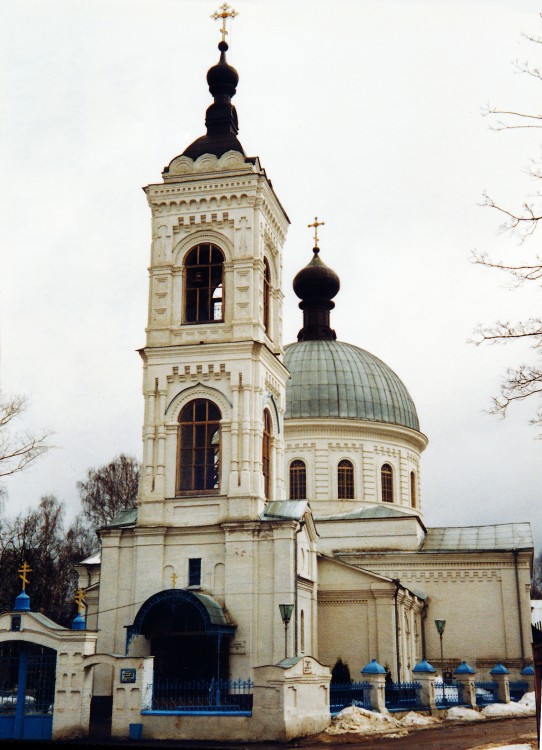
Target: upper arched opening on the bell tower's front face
point(203, 283)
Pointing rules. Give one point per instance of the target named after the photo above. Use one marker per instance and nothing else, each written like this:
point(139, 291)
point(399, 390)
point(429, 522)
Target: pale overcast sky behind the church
point(365, 113)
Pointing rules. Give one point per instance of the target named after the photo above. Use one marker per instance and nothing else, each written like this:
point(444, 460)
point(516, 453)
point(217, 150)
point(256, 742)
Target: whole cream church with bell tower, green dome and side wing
point(280, 507)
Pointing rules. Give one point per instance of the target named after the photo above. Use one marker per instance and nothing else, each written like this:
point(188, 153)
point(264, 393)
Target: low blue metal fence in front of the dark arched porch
point(203, 696)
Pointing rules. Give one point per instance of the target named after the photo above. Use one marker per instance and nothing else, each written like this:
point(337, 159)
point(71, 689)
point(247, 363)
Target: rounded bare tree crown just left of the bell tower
point(109, 489)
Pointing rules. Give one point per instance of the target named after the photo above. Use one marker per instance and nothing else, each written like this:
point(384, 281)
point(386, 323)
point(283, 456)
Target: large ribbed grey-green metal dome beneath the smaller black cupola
point(337, 380)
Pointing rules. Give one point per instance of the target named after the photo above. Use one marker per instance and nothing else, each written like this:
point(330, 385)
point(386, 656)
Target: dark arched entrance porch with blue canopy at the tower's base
point(188, 635)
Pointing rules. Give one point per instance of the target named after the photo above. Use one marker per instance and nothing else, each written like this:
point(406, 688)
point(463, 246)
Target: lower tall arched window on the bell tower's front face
point(199, 447)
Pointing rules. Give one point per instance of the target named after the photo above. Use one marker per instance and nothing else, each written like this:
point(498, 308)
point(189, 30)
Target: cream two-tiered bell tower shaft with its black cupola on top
point(214, 381)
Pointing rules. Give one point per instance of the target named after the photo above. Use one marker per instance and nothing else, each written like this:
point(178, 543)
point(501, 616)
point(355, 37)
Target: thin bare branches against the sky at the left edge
point(17, 450)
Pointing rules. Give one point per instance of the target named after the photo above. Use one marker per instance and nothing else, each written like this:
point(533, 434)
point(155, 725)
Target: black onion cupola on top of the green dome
point(316, 285)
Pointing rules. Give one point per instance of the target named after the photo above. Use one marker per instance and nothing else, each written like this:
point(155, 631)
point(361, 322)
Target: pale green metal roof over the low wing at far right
point(504, 536)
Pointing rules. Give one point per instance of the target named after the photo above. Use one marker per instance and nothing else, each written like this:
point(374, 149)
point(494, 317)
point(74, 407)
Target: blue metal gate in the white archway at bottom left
point(27, 691)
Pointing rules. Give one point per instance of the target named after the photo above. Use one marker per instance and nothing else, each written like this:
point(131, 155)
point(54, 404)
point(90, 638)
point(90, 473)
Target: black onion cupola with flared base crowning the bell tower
point(221, 117)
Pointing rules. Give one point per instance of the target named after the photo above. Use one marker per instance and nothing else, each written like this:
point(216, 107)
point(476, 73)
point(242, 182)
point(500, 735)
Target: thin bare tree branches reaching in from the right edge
point(524, 380)
